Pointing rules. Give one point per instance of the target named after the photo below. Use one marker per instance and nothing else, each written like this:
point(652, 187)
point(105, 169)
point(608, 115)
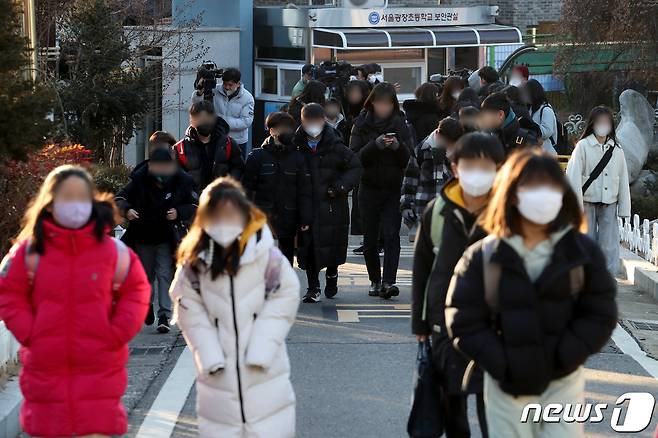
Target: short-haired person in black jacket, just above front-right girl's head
point(496, 116)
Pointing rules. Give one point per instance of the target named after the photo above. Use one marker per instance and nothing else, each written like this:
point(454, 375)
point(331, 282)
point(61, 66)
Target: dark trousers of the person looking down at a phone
point(380, 212)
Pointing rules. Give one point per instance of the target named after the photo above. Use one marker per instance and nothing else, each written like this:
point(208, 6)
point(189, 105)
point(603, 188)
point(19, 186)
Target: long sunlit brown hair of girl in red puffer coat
point(104, 212)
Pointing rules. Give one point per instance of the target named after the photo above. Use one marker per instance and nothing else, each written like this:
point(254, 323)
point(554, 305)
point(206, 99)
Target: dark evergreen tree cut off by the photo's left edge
point(24, 104)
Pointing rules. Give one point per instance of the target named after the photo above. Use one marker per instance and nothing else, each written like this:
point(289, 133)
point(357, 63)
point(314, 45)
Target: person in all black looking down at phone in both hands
point(382, 139)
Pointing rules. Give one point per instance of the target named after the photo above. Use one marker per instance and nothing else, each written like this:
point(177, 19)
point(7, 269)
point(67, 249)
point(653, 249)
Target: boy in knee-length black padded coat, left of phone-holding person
point(335, 170)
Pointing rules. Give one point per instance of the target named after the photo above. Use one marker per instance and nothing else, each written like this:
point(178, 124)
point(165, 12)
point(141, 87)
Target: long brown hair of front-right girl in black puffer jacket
point(502, 218)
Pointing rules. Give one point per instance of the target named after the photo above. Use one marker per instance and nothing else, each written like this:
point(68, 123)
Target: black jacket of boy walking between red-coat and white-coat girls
point(152, 202)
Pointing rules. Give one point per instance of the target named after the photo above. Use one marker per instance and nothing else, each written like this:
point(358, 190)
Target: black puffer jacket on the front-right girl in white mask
point(541, 333)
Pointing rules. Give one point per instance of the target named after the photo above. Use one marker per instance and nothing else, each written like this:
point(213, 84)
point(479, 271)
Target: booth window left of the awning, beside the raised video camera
point(276, 80)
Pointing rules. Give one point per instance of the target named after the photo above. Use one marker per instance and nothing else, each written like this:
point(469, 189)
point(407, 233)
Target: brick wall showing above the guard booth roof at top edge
point(520, 13)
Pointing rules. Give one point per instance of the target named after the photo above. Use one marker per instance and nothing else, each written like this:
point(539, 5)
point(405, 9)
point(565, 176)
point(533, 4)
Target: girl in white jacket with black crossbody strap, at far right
point(605, 194)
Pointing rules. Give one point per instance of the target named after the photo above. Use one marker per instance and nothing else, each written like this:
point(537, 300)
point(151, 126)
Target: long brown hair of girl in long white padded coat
point(220, 192)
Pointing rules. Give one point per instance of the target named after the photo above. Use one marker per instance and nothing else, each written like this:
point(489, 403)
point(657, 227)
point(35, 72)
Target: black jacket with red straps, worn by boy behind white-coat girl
point(205, 162)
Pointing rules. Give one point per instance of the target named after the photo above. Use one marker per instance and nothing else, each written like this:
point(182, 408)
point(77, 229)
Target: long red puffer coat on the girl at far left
point(74, 339)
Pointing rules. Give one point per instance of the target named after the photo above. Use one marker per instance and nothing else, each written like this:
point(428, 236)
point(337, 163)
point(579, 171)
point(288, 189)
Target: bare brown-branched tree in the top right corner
point(606, 46)
